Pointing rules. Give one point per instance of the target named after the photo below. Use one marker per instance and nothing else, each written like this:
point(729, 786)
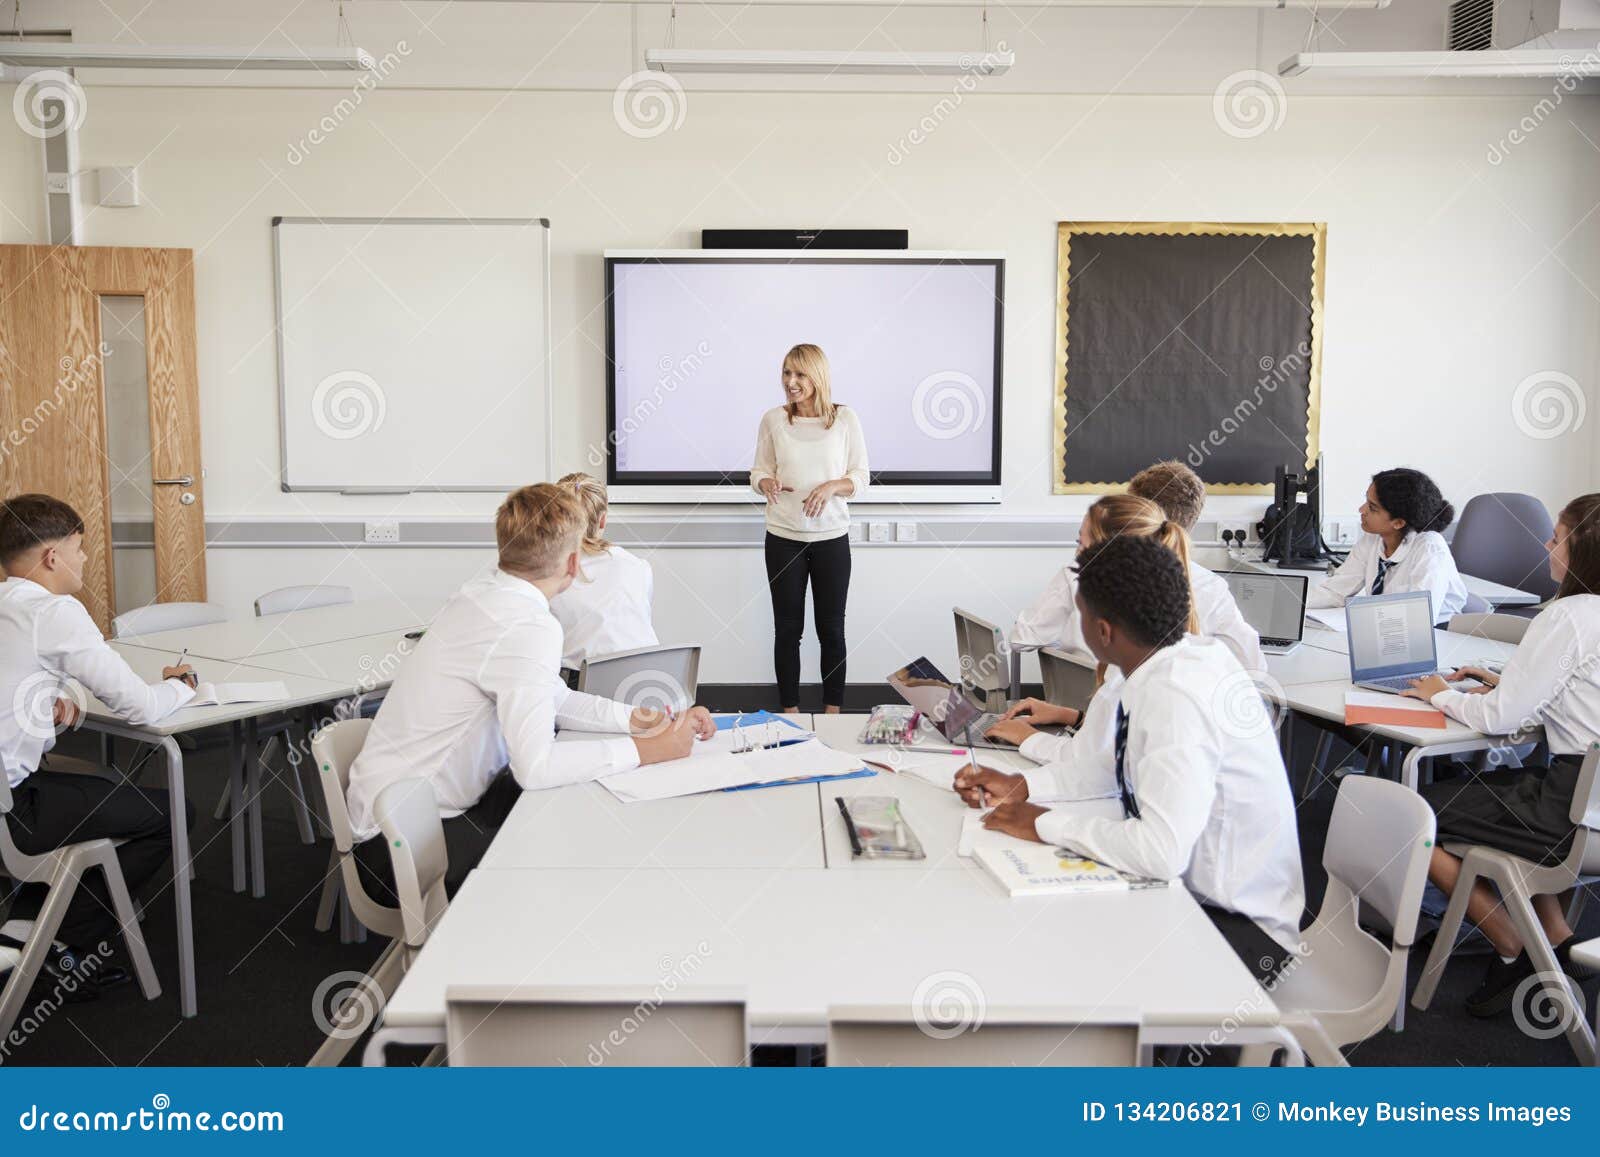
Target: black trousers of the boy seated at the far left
point(54, 809)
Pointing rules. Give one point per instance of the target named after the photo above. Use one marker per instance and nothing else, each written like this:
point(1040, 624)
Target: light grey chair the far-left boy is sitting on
point(63, 871)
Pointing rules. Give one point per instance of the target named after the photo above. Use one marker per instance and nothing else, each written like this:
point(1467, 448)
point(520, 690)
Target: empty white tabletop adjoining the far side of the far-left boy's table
point(249, 639)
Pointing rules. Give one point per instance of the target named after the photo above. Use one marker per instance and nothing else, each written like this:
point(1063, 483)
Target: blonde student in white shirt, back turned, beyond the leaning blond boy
point(607, 609)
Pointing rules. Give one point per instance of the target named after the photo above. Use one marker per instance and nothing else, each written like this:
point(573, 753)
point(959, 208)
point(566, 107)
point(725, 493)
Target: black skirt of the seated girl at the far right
point(1524, 812)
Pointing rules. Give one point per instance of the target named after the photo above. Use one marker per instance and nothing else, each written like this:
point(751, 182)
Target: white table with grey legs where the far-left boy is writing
point(98, 718)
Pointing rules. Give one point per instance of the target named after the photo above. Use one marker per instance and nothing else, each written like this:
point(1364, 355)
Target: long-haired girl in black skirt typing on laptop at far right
point(1553, 683)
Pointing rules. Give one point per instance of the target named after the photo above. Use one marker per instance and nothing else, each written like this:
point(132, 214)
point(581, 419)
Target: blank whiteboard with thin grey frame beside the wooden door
point(414, 353)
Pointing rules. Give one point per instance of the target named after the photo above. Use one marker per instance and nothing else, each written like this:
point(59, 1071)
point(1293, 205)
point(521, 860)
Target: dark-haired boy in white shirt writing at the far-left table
point(47, 639)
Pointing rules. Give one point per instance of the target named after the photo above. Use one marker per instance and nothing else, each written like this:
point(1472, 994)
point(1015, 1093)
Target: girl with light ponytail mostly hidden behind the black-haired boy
point(1116, 516)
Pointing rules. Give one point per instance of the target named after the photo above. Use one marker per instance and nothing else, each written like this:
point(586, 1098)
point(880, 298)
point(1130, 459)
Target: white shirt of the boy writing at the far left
point(44, 643)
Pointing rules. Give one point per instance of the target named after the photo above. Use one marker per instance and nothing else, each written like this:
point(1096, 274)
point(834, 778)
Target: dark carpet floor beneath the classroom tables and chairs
point(262, 963)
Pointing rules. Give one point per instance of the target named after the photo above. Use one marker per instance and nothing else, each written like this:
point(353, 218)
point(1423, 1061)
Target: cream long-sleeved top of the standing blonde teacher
point(804, 455)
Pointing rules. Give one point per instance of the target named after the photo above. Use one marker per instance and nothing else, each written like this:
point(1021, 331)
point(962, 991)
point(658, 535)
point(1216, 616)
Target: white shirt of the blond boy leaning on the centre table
point(481, 691)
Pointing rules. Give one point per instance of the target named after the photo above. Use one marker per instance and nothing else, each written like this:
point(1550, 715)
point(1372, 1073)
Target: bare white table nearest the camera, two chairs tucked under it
point(799, 942)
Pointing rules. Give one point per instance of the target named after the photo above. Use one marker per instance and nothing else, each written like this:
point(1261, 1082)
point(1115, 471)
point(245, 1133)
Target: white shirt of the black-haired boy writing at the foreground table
point(1206, 772)
